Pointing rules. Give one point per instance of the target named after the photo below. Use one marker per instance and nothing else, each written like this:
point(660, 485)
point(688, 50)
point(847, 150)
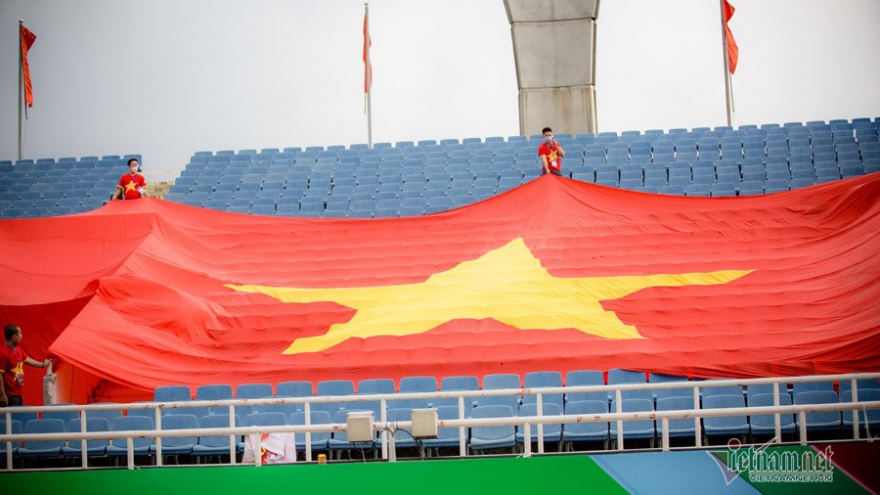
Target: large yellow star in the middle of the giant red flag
point(507, 284)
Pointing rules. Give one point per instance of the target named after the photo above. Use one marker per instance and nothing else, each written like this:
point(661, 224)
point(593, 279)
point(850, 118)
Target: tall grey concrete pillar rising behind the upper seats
point(554, 45)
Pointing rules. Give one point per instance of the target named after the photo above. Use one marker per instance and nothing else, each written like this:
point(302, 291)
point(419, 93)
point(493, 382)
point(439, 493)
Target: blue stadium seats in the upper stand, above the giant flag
point(428, 177)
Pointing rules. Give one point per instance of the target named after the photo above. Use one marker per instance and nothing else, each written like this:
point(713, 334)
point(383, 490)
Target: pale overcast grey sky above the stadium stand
point(167, 78)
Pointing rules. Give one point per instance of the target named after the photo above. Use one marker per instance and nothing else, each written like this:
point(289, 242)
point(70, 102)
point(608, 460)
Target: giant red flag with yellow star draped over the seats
point(554, 275)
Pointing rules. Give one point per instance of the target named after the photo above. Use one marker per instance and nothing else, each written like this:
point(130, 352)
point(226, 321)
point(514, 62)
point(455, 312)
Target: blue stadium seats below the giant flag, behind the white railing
point(572, 436)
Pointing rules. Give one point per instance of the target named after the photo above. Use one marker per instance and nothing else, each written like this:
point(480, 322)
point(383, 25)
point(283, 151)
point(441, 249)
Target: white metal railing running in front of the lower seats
point(384, 427)
